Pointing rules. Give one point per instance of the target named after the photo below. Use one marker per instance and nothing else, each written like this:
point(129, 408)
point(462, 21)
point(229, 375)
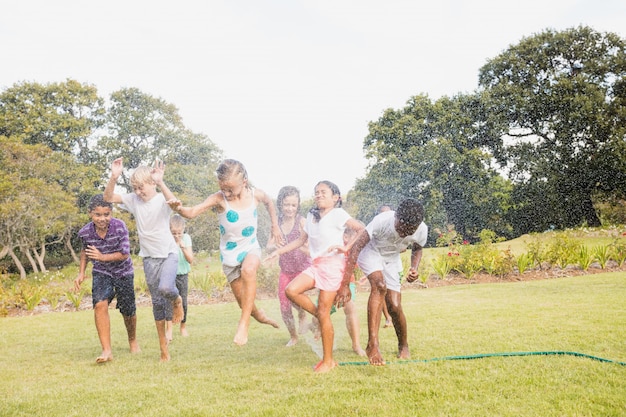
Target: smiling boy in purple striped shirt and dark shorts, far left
point(105, 243)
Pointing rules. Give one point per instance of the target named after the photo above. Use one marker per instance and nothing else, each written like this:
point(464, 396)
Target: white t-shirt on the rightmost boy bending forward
point(385, 240)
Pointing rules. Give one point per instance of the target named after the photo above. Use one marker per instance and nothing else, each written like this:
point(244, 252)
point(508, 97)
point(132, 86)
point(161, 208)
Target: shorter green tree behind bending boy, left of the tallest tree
point(429, 151)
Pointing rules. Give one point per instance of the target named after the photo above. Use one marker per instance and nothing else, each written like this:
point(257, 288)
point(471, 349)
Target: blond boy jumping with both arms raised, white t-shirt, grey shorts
point(157, 246)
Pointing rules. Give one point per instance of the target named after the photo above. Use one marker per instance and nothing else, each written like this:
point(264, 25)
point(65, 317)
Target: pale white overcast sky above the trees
point(286, 87)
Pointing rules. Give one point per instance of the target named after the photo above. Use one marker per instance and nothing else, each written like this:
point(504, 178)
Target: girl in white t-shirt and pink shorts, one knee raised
point(324, 230)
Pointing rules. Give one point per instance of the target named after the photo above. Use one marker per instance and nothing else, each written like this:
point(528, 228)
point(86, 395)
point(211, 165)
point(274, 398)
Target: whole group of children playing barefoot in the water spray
point(318, 252)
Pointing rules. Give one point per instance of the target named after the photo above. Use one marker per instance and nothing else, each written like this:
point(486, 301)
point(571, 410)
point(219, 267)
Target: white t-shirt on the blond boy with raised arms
point(153, 225)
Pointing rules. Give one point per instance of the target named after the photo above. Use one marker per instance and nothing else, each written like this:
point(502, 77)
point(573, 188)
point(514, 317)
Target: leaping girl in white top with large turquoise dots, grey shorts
point(240, 252)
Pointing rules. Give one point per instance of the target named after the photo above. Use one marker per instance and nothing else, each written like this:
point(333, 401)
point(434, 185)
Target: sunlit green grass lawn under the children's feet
point(48, 360)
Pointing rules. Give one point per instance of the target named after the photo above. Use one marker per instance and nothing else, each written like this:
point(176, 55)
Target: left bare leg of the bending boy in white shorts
point(374, 311)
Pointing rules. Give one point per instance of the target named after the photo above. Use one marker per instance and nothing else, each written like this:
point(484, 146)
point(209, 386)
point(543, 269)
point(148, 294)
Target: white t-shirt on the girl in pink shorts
point(327, 232)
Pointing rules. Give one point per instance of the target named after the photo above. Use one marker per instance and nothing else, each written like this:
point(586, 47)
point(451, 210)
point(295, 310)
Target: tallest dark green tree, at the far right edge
point(554, 115)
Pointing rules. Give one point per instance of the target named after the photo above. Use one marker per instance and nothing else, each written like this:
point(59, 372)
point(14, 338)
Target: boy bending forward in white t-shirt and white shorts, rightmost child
point(378, 249)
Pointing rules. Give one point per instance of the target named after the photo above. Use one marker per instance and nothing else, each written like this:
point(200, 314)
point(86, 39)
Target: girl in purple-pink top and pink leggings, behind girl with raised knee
point(291, 263)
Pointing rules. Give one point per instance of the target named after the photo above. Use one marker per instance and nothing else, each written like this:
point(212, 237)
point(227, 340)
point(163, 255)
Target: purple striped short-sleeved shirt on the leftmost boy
point(116, 240)
